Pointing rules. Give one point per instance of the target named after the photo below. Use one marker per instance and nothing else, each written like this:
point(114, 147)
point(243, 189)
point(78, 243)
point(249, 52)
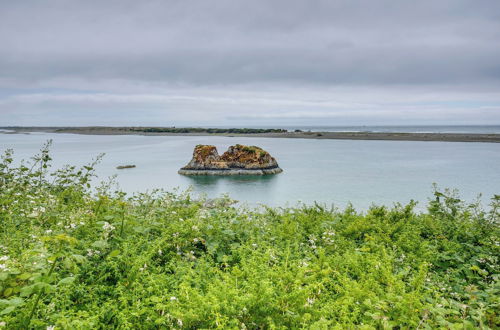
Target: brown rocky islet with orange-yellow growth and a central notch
point(237, 160)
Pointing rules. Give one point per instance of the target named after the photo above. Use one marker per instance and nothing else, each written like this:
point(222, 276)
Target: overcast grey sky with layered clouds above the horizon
point(249, 63)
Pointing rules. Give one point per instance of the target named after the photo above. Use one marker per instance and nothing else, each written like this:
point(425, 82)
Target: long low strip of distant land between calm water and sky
point(156, 131)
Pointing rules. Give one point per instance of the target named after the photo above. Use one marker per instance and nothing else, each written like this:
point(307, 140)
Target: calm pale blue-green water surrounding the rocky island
point(326, 171)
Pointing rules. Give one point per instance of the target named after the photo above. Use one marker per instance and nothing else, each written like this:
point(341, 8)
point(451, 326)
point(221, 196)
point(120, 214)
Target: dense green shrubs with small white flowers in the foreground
point(75, 258)
